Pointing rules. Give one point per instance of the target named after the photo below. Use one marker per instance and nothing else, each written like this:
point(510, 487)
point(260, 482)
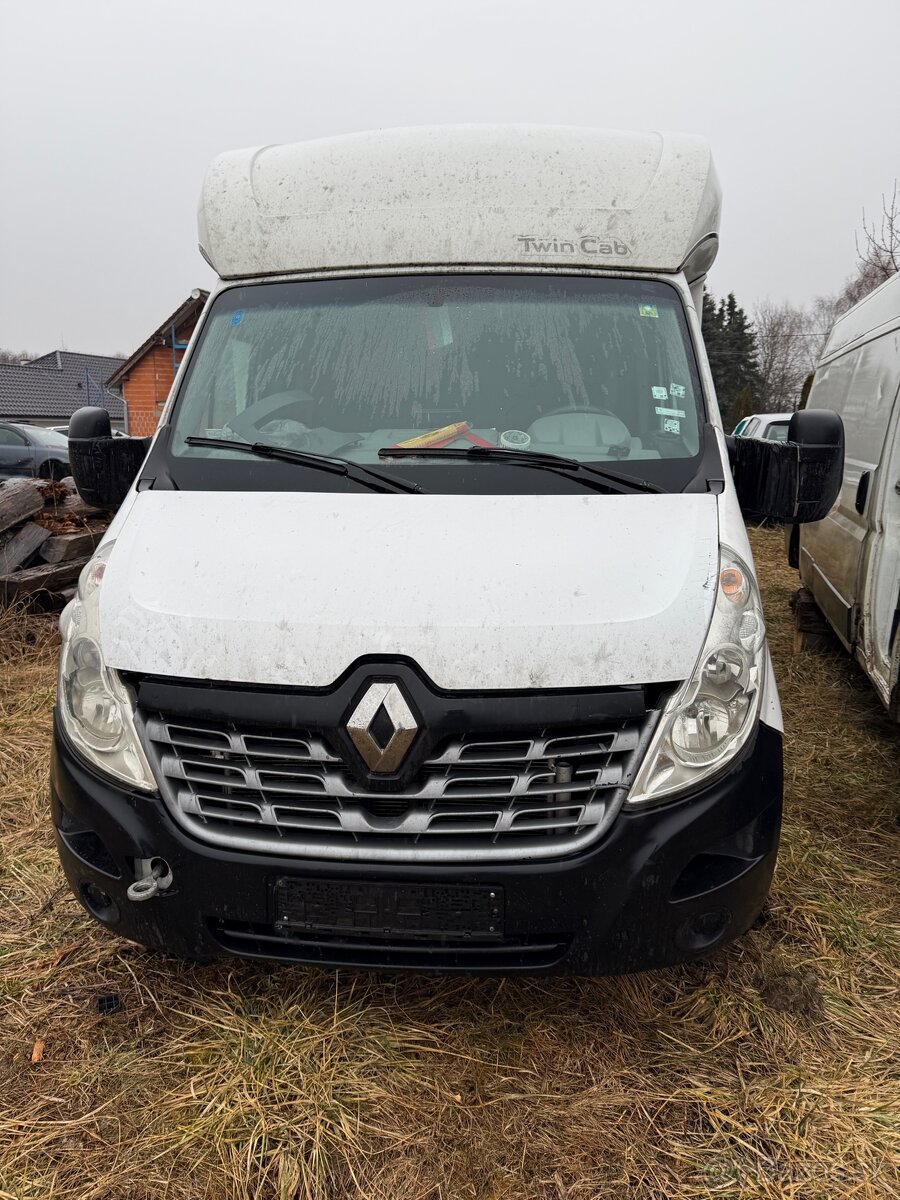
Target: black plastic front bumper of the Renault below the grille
point(664, 886)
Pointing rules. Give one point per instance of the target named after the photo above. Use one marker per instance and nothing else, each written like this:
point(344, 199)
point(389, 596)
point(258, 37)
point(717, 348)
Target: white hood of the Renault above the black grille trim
point(483, 592)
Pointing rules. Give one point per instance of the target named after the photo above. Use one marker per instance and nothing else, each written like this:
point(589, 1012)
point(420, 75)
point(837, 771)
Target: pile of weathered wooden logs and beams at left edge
point(47, 535)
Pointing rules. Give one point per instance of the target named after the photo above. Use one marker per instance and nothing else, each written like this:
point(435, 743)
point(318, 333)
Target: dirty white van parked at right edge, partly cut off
point(851, 561)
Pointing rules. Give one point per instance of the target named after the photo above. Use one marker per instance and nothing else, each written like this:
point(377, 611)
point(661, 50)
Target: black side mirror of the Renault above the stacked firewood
point(104, 467)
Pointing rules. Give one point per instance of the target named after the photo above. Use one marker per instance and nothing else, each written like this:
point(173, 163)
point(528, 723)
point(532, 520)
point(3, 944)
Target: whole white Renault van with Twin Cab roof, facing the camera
point(428, 634)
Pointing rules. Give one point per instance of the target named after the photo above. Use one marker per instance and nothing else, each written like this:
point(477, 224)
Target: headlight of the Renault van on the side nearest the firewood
point(95, 706)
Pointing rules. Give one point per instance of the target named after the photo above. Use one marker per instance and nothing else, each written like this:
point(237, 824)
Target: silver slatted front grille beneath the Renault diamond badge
point(499, 799)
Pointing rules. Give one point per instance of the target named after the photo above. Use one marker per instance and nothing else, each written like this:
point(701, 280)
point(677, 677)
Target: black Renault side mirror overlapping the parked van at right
point(797, 481)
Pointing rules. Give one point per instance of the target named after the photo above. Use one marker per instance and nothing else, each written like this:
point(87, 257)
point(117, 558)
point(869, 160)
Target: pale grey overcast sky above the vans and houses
point(110, 113)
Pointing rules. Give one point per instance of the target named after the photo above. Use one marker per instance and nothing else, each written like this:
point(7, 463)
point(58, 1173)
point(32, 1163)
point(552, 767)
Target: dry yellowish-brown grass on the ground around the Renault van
point(771, 1070)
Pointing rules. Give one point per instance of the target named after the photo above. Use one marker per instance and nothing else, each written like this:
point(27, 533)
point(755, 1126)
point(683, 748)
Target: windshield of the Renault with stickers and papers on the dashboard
point(597, 370)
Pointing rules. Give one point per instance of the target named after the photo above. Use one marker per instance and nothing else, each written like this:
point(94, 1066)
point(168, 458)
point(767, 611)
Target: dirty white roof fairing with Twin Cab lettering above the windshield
point(530, 195)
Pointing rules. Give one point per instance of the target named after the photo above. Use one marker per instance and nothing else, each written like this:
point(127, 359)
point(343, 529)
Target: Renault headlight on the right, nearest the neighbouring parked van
point(712, 715)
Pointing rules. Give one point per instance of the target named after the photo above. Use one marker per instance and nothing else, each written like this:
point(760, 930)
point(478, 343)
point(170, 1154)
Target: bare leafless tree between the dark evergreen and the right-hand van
point(787, 352)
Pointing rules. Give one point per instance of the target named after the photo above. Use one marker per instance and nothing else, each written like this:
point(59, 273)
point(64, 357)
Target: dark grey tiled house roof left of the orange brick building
point(57, 385)
